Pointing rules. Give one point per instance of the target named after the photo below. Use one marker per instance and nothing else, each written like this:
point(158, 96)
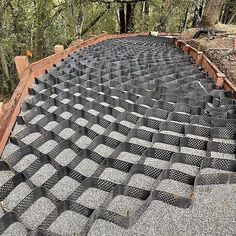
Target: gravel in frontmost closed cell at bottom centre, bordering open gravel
point(124, 205)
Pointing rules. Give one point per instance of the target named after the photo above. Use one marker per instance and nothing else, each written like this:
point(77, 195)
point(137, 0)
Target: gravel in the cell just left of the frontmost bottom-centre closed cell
point(92, 198)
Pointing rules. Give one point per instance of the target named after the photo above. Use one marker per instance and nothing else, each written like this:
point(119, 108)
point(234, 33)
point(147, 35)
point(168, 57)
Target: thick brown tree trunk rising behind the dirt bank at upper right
point(211, 14)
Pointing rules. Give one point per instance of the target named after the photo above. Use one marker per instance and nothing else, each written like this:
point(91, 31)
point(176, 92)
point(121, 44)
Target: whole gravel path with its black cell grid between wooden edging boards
point(127, 137)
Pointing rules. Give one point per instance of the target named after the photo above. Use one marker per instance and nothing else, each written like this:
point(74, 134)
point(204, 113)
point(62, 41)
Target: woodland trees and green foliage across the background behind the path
point(38, 25)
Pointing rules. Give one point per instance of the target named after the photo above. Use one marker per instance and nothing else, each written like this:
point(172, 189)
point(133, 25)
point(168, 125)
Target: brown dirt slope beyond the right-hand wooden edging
point(218, 49)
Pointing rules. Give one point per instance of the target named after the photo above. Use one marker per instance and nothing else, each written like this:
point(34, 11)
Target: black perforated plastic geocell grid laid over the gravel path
point(142, 88)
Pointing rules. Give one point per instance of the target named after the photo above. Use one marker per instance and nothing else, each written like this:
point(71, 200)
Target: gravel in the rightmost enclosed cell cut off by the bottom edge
point(68, 223)
